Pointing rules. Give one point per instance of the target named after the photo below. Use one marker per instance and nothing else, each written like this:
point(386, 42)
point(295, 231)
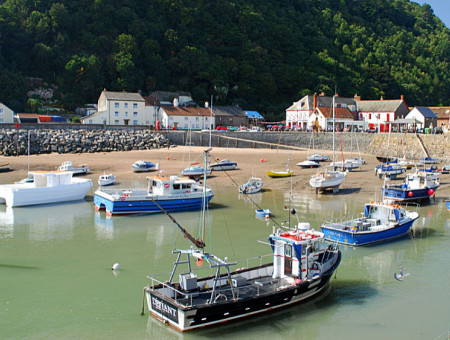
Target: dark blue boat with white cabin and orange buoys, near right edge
point(417, 186)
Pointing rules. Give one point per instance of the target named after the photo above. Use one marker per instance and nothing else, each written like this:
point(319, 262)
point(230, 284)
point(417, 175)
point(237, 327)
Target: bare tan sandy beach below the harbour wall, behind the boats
point(251, 162)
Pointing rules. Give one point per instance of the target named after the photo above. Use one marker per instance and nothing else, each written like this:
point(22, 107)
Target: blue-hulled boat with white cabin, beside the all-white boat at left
point(171, 193)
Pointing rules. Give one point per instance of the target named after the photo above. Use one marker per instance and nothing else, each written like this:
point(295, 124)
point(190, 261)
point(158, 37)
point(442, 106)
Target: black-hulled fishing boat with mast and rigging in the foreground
point(299, 268)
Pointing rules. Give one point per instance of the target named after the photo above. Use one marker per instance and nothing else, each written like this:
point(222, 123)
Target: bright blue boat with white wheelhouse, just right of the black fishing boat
point(381, 222)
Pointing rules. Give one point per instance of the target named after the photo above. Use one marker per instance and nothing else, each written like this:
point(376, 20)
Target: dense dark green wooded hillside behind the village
point(260, 54)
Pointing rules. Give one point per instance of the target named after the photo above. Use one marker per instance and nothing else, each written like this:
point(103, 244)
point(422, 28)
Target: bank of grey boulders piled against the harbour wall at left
point(13, 141)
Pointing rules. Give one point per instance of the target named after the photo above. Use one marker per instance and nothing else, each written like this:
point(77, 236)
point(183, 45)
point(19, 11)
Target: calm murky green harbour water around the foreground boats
point(56, 280)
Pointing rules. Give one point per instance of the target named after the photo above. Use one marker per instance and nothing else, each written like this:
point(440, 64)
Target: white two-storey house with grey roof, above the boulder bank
point(119, 108)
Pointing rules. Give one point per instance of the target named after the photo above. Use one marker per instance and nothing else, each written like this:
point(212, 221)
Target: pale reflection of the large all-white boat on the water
point(44, 222)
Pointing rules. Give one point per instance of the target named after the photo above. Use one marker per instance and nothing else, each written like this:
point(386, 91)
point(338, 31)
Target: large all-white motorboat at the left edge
point(46, 187)
